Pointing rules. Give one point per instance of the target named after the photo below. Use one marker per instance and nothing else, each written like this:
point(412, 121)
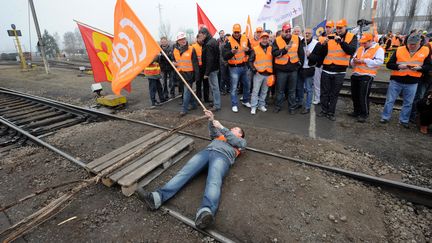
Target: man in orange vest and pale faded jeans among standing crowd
point(261, 64)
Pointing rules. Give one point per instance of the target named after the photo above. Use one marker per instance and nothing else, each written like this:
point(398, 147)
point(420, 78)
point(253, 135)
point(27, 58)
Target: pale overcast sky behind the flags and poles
point(57, 16)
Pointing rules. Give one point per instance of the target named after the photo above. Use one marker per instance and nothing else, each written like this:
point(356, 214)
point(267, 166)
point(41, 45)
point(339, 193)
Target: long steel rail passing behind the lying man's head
point(426, 193)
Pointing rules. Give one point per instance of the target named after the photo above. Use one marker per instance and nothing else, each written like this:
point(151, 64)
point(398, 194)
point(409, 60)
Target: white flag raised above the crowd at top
point(280, 11)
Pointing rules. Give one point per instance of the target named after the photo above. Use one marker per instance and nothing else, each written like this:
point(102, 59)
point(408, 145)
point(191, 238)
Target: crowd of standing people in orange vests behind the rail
point(295, 67)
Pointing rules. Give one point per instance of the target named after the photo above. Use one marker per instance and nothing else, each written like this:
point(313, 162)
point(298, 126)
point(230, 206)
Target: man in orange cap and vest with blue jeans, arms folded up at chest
point(235, 52)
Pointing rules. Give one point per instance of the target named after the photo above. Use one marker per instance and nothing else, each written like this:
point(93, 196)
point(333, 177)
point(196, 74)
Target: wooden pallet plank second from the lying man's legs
point(168, 143)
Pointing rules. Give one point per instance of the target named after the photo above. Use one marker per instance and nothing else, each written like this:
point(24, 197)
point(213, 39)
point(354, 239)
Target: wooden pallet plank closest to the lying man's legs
point(155, 162)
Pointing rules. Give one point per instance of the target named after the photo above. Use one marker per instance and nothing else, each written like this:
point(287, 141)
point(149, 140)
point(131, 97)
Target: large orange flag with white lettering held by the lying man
point(133, 47)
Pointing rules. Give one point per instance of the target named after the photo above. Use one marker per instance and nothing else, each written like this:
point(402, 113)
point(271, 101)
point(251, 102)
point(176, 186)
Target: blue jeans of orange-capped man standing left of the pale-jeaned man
point(236, 74)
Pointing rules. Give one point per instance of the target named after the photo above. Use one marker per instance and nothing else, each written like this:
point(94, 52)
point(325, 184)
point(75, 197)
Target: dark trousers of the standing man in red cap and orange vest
point(284, 79)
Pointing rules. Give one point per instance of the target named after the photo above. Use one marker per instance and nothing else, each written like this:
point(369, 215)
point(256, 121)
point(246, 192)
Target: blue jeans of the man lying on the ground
point(217, 164)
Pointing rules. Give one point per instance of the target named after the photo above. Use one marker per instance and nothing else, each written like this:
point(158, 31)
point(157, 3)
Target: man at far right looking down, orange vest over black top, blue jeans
point(408, 64)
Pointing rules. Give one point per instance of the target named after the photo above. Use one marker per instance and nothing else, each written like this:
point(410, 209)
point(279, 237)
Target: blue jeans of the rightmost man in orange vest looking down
point(393, 91)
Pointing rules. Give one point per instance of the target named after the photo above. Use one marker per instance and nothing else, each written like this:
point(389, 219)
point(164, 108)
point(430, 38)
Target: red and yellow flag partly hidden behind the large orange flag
point(98, 46)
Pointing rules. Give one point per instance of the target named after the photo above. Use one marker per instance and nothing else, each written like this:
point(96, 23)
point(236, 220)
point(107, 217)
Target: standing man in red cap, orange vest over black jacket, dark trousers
point(289, 55)
